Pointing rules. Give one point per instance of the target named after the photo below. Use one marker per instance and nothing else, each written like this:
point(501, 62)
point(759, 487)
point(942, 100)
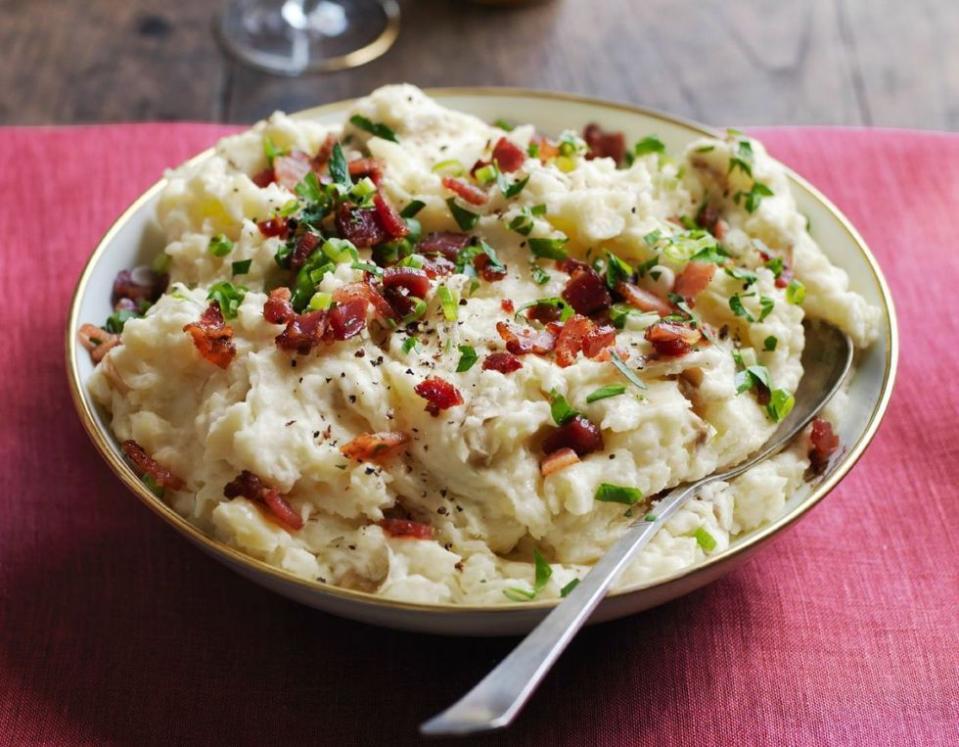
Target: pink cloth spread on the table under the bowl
point(115, 630)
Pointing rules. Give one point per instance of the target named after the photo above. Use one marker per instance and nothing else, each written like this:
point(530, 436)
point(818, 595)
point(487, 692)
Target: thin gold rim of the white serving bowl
point(105, 444)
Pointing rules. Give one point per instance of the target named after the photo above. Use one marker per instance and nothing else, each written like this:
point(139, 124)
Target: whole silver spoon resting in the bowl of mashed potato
point(500, 696)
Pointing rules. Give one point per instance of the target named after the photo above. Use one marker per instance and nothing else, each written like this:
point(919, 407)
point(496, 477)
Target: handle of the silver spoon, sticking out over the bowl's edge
point(500, 696)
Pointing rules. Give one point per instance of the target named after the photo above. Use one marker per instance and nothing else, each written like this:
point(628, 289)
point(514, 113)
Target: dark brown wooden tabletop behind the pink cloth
point(848, 62)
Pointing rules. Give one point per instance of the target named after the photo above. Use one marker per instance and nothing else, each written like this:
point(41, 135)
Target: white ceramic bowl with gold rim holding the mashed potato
point(134, 239)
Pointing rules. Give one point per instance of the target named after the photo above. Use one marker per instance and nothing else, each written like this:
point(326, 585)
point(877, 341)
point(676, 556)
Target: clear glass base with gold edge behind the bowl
point(297, 37)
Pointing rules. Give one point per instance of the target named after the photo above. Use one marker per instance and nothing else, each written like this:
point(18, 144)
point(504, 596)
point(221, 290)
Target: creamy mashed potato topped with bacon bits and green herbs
point(459, 506)
